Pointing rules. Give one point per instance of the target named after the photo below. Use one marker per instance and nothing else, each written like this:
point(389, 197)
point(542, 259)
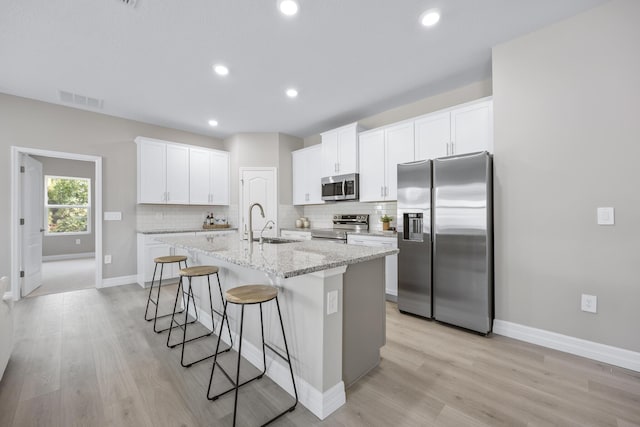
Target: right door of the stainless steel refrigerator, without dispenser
point(463, 241)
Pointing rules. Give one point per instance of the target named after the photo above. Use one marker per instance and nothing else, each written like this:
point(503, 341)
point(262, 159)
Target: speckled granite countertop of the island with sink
point(282, 260)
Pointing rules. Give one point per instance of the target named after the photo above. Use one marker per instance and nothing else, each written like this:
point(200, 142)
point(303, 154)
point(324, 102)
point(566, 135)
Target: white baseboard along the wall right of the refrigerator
point(601, 352)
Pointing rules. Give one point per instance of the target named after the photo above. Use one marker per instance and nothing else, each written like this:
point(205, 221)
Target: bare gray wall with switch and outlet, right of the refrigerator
point(567, 141)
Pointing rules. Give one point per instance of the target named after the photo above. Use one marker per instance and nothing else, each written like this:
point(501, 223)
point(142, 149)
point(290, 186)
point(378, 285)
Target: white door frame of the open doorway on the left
point(16, 203)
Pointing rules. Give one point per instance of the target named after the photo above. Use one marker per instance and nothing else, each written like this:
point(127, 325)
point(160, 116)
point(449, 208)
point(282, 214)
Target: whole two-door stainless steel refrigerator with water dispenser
point(451, 279)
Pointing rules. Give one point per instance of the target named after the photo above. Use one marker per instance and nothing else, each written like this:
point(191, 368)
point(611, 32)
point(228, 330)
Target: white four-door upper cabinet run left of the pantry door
point(170, 173)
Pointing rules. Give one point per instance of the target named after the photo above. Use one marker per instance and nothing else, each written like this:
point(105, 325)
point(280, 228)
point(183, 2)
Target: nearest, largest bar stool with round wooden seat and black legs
point(247, 295)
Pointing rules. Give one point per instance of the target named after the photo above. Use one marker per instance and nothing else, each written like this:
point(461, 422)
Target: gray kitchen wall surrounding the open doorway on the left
point(34, 124)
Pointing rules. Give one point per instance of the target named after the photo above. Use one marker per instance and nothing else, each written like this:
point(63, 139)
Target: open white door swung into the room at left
point(33, 214)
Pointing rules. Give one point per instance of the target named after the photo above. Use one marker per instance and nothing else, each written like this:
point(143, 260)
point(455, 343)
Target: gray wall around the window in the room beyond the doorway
point(65, 245)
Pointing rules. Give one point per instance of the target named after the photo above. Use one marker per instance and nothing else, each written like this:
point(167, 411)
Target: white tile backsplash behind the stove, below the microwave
point(320, 216)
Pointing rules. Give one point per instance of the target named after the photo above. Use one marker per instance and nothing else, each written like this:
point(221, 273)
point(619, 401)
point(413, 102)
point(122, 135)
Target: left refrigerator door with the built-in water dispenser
point(414, 238)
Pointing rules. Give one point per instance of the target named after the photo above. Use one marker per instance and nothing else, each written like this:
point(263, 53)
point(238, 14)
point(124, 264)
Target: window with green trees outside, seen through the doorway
point(67, 205)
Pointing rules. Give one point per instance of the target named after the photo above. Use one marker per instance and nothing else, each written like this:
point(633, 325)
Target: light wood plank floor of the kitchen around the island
point(87, 358)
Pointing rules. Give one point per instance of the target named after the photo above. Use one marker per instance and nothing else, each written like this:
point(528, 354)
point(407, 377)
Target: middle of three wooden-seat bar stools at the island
point(190, 273)
